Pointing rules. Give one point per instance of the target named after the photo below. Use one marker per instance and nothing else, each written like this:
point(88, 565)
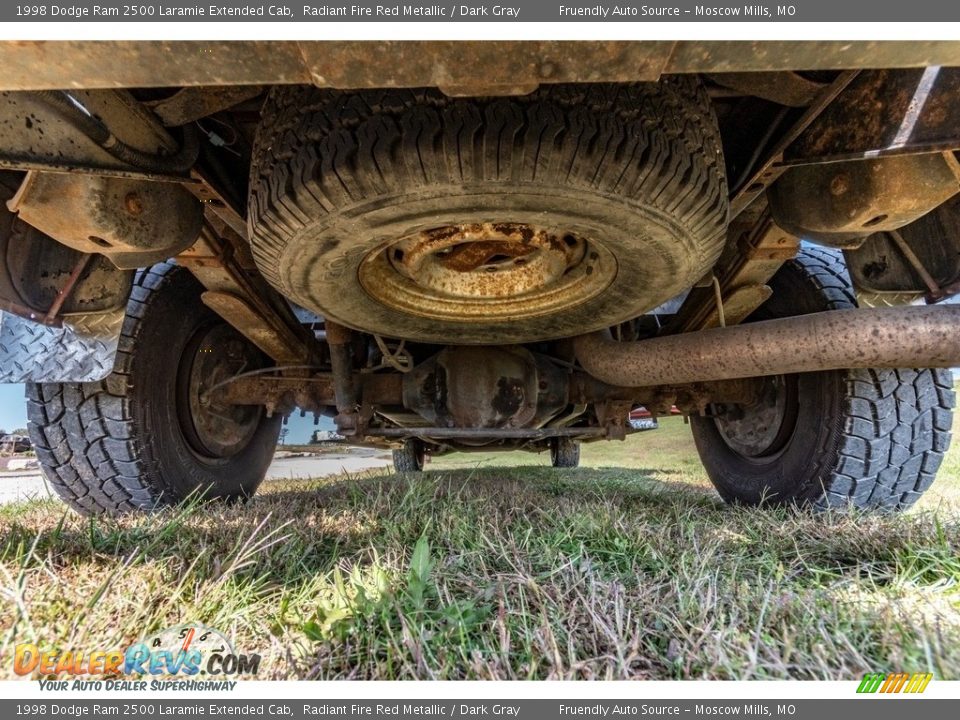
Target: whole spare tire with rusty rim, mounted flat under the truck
point(410, 214)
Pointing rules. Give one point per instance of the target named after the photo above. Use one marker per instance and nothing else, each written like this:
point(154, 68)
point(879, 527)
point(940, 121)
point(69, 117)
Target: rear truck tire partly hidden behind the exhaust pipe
point(865, 439)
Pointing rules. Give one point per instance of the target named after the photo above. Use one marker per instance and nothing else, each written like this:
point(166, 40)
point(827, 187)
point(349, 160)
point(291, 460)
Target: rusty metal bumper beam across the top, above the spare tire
point(505, 67)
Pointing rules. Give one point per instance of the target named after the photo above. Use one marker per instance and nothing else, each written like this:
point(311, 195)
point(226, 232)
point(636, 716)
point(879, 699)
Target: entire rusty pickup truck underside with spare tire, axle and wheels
point(461, 246)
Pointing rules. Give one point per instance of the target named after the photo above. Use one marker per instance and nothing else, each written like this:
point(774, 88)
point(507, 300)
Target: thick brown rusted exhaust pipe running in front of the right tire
point(897, 337)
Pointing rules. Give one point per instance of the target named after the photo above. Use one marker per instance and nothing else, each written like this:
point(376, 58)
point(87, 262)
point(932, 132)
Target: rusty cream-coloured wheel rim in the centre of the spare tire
point(486, 272)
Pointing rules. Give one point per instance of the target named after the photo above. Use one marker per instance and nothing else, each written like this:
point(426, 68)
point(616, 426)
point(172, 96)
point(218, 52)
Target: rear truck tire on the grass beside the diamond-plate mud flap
point(144, 437)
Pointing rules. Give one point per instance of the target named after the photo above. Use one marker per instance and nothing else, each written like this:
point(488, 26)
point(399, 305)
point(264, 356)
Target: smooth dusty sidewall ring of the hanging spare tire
point(644, 241)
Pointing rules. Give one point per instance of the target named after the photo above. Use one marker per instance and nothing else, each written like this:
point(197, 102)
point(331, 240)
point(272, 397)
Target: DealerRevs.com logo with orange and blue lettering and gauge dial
point(189, 650)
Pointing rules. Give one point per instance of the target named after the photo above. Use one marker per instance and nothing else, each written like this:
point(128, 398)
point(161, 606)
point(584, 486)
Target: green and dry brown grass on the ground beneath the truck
point(630, 569)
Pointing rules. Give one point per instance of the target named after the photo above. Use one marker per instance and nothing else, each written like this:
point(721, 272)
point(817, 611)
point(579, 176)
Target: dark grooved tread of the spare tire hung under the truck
point(319, 150)
